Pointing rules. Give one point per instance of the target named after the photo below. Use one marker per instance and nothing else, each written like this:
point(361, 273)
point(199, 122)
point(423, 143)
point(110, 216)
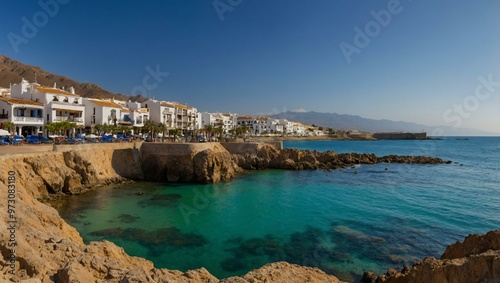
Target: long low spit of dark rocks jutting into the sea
point(267, 156)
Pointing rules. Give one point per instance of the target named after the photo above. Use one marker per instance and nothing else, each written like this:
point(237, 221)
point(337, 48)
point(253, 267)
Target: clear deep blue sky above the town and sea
point(422, 65)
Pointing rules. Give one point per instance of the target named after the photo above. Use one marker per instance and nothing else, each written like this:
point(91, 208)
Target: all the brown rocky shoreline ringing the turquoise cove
point(37, 245)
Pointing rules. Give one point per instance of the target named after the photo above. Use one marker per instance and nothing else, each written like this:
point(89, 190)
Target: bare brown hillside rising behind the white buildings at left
point(12, 71)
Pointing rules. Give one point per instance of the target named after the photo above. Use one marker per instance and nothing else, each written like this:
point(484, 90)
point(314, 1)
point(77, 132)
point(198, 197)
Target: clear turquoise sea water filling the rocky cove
point(385, 216)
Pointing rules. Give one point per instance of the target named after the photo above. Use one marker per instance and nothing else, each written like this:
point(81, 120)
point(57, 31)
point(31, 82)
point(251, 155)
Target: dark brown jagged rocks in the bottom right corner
point(477, 259)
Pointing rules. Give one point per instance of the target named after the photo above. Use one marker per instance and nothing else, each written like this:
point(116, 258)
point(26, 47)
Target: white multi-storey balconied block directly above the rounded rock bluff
point(173, 115)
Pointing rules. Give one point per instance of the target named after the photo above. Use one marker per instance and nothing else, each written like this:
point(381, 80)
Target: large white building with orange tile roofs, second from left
point(58, 104)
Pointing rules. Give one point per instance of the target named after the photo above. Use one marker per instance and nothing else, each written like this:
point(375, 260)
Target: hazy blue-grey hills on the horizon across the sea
point(349, 122)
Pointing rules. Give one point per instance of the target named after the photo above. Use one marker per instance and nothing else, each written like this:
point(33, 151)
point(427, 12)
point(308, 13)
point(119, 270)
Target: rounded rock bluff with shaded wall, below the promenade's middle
point(200, 163)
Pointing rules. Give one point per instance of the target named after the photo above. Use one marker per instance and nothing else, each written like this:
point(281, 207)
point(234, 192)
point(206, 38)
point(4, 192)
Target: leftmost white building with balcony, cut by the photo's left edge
point(25, 114)
